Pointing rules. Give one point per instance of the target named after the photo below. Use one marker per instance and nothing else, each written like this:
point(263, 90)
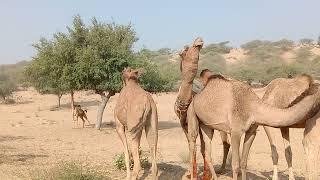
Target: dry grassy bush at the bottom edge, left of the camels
point(69, 171)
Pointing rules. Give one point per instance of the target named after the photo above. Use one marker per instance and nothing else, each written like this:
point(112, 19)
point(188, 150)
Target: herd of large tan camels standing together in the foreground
point(229, 106)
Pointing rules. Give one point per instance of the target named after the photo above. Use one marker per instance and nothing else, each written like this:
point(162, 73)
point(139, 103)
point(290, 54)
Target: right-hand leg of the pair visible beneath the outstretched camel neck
point(288, 151)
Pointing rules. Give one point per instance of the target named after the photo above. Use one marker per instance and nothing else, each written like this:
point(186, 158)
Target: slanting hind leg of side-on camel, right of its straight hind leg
point(207, 134)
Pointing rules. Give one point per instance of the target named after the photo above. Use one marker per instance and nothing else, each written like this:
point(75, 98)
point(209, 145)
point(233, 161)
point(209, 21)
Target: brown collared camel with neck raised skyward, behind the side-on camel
point(189, 66)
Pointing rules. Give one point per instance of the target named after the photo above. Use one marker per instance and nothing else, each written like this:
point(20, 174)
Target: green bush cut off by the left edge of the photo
point(7, 86)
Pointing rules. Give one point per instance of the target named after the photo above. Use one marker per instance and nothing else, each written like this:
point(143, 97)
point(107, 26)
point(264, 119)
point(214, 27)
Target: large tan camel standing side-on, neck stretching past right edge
point(234, 108)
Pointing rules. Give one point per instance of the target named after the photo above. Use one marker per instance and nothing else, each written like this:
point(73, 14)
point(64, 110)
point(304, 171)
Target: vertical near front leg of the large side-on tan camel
point(235, 145)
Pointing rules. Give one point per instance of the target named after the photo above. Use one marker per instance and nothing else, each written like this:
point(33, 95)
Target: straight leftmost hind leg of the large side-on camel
point(193, 129)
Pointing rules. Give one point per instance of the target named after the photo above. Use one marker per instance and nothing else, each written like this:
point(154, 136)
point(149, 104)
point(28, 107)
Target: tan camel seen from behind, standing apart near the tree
point(136, 110)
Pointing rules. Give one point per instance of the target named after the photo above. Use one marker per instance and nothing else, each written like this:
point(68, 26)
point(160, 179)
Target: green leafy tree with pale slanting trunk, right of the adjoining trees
point(108, 49)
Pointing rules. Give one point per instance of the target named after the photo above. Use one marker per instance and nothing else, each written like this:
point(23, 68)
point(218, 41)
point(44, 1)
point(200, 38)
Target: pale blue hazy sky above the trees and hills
point(165, 23)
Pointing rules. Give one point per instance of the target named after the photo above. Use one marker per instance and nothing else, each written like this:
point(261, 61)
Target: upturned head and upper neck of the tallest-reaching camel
point(190, 58)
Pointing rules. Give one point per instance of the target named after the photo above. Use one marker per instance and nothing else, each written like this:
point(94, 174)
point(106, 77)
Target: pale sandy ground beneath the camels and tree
point(34, 136)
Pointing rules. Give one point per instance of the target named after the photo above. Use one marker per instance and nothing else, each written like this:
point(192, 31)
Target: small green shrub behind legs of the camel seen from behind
point(119, 161)
